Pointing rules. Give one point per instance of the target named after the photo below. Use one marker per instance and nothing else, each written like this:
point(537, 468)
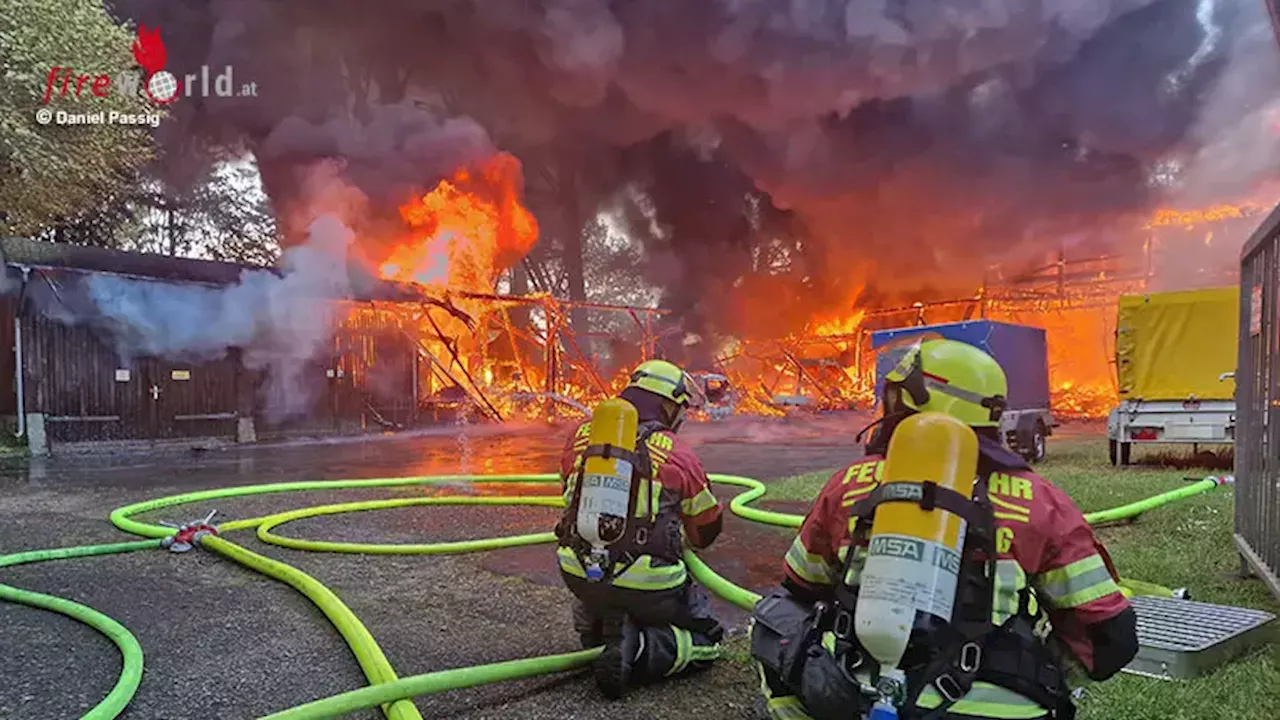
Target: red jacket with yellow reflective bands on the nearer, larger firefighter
point(1043, 543)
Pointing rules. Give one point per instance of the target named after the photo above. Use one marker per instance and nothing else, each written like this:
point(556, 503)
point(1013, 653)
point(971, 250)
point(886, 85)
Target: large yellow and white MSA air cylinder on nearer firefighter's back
point(913, 563)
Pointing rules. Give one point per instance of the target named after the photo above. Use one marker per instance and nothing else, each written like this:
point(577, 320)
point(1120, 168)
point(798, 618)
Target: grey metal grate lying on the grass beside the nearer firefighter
point(1182, 639)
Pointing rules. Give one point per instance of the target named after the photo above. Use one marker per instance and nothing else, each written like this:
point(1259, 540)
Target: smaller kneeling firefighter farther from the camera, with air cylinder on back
point(634, 494)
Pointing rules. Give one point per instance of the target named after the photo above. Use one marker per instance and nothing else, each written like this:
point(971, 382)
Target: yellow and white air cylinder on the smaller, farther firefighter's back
point(605, 499)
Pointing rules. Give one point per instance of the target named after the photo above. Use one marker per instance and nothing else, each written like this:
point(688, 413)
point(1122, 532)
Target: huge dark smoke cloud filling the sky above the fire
point(907, 143)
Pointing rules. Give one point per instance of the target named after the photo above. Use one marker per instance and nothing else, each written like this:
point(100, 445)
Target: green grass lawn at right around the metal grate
point(1182, 545)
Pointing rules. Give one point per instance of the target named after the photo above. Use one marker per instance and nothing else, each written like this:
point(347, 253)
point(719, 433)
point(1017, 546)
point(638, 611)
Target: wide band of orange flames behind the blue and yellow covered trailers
point(1076, 309)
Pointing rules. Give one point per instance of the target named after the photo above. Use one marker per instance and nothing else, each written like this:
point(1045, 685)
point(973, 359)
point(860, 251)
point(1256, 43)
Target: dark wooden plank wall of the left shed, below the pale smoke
point(88, 391)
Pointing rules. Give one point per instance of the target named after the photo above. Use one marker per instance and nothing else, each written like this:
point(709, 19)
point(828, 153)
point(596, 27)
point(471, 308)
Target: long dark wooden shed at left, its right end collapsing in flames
point(396, 331)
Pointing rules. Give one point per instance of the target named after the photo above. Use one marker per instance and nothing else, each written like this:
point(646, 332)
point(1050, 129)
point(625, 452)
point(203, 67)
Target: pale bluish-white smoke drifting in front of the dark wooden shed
point(280, 322)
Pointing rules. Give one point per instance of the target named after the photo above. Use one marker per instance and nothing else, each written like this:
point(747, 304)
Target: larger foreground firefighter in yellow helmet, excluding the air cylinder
point(1052, 593)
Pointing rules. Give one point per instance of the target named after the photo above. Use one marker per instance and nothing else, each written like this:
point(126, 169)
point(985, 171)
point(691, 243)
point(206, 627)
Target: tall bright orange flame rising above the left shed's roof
point(467, 231)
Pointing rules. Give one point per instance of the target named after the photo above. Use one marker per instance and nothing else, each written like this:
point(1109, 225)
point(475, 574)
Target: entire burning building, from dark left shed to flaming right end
point(412, 330)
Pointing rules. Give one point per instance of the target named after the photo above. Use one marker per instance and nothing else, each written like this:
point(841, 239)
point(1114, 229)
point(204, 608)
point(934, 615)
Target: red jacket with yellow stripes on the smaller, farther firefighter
point(676, 502)
